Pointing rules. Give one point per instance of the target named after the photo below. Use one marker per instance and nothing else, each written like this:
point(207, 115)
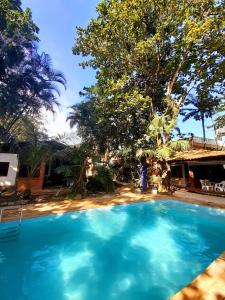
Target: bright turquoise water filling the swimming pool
point(132, 252)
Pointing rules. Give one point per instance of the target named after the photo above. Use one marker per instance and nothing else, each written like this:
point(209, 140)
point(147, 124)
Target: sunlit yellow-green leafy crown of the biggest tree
point(156, 49)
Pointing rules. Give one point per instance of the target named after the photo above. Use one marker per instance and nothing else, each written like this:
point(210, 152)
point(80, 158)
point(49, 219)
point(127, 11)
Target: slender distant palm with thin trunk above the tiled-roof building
point(201, 109)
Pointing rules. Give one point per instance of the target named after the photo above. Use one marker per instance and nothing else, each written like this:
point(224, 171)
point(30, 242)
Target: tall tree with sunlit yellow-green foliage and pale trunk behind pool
point(149, 56)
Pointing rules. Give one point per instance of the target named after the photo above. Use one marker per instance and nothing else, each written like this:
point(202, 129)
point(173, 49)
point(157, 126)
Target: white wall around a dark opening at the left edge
point(10, 179)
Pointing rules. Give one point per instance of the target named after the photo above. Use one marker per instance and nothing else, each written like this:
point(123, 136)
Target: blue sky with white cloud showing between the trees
point(57, 20)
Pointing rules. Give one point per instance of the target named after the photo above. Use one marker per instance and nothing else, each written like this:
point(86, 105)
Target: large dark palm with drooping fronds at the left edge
point(34, 85)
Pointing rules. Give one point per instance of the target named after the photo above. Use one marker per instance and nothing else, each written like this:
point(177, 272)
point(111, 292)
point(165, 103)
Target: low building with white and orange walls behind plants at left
point(14, 173)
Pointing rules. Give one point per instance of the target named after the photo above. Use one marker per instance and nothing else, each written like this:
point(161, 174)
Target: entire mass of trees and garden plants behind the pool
point(159, 64)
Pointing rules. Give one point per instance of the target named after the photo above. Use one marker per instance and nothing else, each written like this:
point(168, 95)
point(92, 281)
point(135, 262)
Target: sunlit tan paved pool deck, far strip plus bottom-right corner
point(210, 285)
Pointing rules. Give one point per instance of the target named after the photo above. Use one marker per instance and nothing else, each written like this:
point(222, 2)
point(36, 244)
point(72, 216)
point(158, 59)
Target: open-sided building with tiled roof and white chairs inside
point(199, 170)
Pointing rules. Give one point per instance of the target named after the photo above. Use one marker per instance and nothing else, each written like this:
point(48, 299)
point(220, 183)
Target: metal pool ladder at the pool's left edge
point(9, 231)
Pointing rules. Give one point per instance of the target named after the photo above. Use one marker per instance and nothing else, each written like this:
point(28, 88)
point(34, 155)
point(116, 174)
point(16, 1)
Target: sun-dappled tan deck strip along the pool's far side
point(123, 196)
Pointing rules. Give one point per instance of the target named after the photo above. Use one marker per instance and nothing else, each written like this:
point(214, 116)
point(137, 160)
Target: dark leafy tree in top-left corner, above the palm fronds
point(17, 34)
